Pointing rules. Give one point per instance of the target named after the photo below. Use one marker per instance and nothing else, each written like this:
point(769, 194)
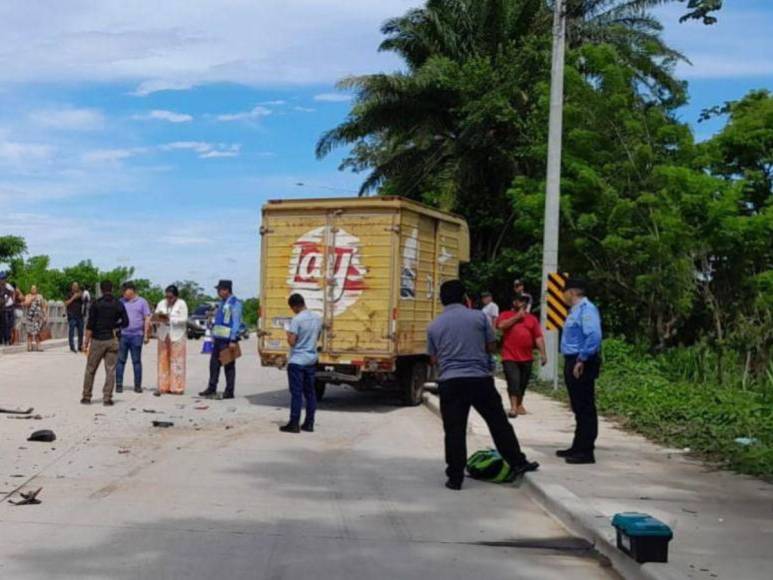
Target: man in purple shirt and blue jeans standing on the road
point(133, 336)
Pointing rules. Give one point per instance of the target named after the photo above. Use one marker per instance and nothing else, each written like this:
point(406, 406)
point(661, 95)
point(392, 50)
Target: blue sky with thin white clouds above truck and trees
point(151, 135)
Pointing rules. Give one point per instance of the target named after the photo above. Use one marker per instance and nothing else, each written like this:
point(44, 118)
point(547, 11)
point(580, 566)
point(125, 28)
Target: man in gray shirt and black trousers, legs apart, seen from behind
point(460, 342)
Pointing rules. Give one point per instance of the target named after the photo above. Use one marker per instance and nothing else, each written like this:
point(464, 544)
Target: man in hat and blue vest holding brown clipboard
point(225, 332)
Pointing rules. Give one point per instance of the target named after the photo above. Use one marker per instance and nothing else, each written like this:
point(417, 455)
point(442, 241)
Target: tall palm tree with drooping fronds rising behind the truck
point(463, 119)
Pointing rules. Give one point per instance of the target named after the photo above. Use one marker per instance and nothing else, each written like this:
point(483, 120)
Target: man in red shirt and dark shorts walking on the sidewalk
point(521, 334)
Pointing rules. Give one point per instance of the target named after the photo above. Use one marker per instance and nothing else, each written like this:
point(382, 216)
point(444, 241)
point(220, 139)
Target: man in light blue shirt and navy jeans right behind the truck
point(302, 336)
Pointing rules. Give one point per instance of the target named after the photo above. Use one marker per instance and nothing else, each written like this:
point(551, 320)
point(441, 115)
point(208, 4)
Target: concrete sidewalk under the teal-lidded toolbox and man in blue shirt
point(722, 522)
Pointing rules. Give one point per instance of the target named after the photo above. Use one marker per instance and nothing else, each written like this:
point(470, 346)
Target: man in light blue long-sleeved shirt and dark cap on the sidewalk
point(581, 347)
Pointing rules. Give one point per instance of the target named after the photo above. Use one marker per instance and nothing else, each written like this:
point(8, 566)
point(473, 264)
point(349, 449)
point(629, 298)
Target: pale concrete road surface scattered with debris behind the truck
point(223, 494)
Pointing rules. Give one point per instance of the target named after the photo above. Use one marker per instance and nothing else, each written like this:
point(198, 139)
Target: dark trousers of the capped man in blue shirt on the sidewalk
point(582, 397)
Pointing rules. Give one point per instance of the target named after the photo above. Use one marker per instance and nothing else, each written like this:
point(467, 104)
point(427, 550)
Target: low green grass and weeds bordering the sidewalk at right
point(644, 394)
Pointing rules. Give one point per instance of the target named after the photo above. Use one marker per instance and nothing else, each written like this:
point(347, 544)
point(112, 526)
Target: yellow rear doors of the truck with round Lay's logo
point(341, 263)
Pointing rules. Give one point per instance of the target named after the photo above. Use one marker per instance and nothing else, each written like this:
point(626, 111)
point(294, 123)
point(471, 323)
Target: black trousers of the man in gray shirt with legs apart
point(456, 398)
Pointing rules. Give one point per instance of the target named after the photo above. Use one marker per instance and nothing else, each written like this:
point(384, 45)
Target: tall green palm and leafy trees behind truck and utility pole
point(673, 235)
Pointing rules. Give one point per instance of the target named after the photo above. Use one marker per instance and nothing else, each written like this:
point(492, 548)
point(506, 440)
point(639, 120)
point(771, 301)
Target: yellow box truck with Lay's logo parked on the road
point(371, 267)
